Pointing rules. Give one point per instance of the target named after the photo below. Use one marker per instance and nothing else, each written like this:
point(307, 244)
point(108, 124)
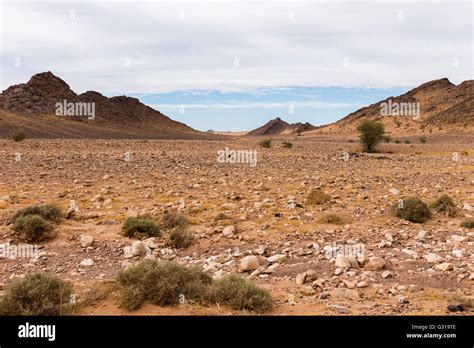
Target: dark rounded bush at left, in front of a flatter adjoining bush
point(33, 228)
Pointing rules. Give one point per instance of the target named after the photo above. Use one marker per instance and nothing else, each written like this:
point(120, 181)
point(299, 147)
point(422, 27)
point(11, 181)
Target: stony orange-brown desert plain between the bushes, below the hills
point(409, 268)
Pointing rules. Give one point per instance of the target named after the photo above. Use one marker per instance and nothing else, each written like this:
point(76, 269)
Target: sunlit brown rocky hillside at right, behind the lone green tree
point(436, 104)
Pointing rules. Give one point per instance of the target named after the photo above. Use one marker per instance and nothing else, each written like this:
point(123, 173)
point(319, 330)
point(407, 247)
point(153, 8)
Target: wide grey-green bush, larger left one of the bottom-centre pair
point(162, 283)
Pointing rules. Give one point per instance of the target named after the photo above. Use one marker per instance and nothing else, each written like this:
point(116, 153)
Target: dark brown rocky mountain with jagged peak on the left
point(41, 107)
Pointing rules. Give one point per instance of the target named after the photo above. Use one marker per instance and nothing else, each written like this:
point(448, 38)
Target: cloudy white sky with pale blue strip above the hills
point(232, 65)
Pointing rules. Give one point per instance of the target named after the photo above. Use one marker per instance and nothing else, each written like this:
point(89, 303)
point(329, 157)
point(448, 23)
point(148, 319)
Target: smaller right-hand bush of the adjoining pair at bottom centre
point(239, 293)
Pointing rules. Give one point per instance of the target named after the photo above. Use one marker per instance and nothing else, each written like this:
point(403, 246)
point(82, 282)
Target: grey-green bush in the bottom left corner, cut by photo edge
point(36, 294)
